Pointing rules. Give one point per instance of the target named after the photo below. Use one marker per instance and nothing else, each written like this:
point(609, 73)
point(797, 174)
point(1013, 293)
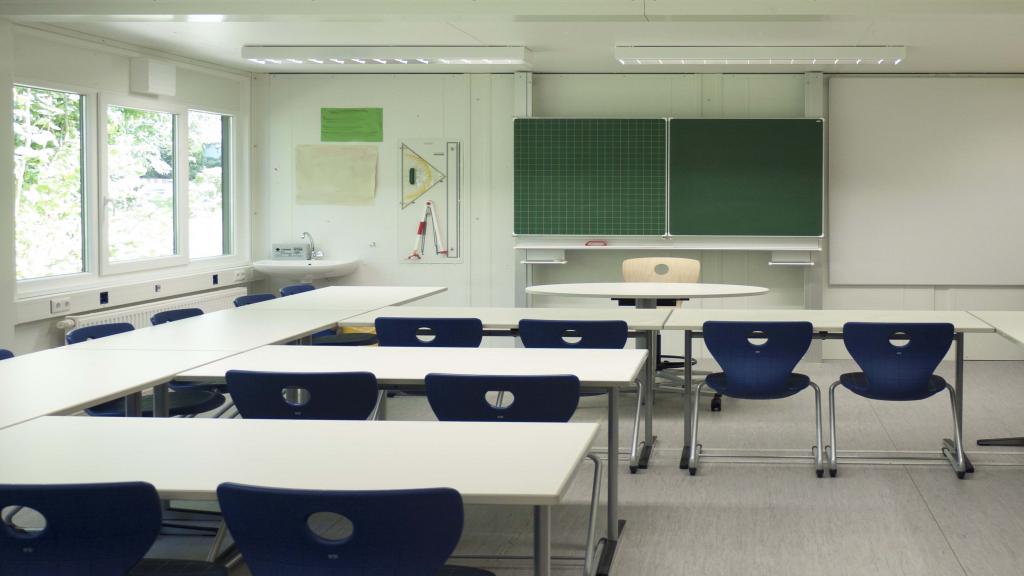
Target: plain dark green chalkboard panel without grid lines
point(746, 178)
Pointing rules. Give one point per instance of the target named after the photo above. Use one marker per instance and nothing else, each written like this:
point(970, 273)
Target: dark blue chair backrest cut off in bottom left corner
point(91, 529)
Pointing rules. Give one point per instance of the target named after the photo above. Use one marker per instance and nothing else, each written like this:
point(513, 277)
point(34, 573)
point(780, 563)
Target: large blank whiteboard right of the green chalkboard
point(926, 181)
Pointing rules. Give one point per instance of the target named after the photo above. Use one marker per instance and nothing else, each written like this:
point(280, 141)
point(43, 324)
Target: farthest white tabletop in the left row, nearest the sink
point(348, 298)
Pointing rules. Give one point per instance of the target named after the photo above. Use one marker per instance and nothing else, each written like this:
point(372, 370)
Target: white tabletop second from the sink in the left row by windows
point(230, 331)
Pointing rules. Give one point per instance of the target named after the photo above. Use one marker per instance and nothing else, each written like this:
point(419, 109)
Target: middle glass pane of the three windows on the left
point(140, 185)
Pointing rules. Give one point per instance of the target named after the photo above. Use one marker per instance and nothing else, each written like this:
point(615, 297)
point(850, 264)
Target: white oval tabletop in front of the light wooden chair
point(647, 291)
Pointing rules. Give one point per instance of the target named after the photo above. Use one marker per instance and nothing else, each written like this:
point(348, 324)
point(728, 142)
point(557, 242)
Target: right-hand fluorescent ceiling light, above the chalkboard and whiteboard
point(797, 56)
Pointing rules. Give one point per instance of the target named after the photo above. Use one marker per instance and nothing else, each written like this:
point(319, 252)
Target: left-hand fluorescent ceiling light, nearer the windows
point(333, 57)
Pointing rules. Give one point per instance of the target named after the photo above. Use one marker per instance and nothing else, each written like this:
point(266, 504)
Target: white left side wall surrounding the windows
point(32, 56)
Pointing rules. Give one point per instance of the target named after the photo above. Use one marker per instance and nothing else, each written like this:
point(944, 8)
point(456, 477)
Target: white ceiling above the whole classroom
point(566, 36)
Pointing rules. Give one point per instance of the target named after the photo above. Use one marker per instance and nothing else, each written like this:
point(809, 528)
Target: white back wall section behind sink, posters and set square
point(474, 109)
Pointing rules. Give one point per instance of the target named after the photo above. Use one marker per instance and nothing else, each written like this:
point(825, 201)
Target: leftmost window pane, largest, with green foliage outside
point(50, 223)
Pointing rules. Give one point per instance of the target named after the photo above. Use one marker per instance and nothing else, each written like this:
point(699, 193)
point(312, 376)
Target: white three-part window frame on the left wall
point(237, 236)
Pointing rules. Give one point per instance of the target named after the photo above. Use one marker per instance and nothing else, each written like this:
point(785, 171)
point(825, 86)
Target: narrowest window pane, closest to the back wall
point(208, 185)
